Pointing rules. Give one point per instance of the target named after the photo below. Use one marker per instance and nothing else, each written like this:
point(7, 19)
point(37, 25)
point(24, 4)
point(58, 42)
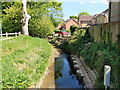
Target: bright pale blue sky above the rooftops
point(74, 7)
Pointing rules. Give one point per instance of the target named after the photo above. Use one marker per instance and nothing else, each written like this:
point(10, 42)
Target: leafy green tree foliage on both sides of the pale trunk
point(44, 17)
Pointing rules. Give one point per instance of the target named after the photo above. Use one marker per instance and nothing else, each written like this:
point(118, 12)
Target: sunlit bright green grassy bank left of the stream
point(24, 61)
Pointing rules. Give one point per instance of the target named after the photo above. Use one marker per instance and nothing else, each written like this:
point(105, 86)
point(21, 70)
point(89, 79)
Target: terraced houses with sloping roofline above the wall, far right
point(100, 18)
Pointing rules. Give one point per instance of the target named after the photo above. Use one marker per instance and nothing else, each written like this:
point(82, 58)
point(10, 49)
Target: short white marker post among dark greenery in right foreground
point(107, 70)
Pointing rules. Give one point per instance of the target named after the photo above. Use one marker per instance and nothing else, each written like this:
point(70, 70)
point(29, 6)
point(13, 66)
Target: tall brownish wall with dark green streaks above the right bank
point(108, 32)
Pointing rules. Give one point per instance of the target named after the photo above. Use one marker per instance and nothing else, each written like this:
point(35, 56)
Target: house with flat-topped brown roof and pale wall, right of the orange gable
point(84, 20)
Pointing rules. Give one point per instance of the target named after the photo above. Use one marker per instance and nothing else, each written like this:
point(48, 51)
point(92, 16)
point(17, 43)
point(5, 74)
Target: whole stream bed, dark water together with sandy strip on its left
point(60, 73)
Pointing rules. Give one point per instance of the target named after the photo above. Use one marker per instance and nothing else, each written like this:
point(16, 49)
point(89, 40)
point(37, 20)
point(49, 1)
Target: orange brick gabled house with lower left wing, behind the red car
point(66, 24)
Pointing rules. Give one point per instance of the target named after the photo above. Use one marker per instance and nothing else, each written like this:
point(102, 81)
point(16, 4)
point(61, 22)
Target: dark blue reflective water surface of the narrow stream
point(64, 74)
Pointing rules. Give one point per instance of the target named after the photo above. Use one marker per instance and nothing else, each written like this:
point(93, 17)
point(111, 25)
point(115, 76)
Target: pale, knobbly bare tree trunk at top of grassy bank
point(25, 19)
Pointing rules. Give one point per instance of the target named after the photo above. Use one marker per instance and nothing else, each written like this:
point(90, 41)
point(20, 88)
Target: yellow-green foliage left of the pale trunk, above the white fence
point(11, 21)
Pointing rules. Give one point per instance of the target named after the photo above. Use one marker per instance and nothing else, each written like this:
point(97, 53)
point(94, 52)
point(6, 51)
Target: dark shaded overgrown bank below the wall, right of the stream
point(96, 55)
